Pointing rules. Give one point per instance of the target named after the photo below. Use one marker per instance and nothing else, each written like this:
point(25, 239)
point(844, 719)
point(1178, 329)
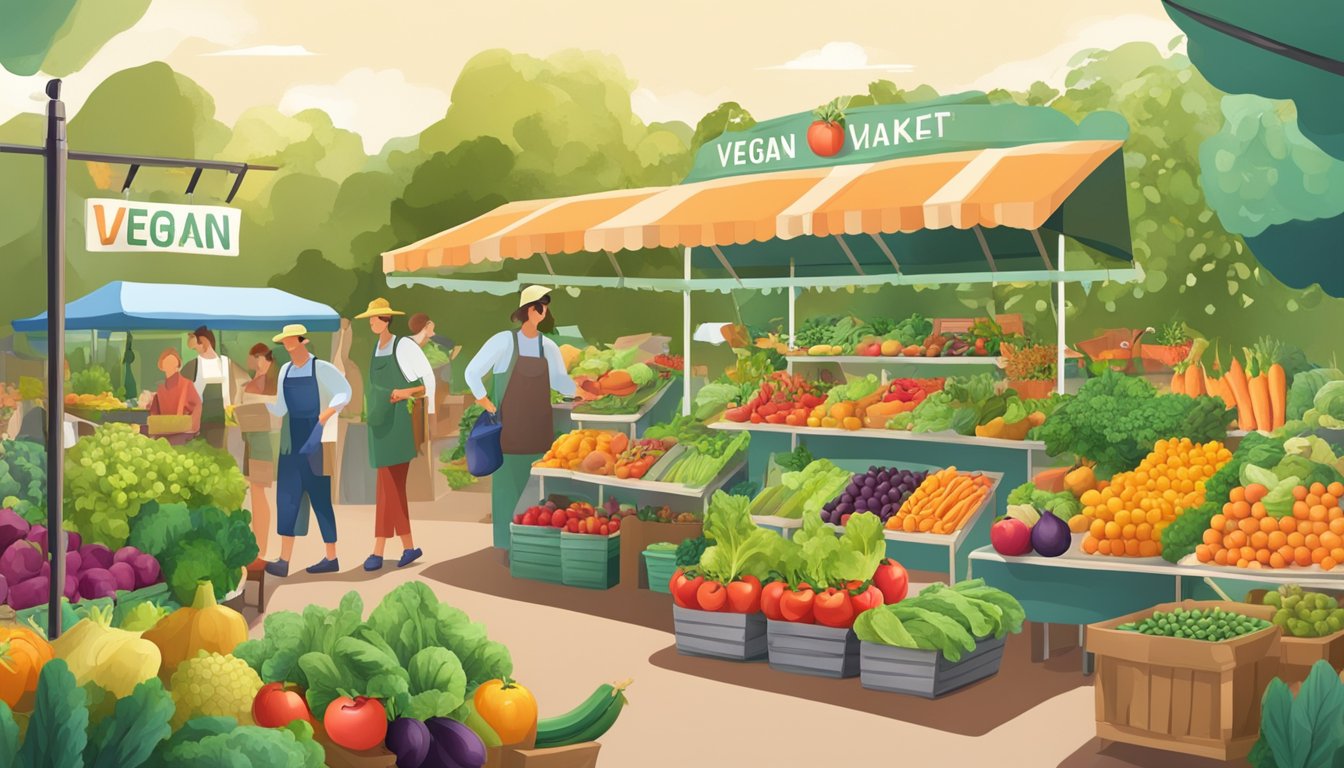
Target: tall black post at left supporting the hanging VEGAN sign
point(57, 153)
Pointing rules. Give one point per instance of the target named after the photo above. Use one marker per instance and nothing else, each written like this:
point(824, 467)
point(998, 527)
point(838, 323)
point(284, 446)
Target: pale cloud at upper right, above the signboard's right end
point(1107, 34)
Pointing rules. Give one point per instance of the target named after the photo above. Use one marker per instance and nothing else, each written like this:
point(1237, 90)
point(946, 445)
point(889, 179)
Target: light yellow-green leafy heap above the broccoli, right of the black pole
point(115, 471)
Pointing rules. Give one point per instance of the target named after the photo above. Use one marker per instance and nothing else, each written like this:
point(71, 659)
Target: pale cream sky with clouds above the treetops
point(389, 73)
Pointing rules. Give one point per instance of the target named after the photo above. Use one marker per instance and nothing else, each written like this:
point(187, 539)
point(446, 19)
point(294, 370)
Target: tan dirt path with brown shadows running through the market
point(705, 714)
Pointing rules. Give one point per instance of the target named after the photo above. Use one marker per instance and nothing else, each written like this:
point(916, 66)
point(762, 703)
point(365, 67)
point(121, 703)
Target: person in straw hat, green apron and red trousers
point(396, 379)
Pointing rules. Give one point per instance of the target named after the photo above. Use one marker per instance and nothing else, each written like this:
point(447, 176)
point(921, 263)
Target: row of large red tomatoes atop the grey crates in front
point(833, 607)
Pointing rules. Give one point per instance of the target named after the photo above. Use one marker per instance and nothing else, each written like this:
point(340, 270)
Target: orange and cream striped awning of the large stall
point(1011, 188)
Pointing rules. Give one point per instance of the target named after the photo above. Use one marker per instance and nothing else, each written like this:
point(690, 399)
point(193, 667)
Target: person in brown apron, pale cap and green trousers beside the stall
point(528, 367)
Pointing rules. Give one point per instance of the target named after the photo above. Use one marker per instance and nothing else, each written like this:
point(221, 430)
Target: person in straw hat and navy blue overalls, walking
point(311, 393)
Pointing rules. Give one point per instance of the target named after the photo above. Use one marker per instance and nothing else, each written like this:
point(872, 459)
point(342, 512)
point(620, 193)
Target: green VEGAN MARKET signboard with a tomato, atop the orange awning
point(886, 132)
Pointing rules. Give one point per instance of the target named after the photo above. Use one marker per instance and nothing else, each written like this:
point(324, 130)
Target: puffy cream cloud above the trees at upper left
point(378, 106)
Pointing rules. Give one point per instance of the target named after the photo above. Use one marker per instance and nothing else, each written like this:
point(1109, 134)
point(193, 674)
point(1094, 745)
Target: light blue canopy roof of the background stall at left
point(169, 307)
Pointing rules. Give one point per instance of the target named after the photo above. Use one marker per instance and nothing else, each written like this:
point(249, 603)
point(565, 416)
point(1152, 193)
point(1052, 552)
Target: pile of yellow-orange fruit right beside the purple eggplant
point(1127, 517)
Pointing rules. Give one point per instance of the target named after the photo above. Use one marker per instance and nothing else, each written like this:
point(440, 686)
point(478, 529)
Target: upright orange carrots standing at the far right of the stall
point(1259, 392)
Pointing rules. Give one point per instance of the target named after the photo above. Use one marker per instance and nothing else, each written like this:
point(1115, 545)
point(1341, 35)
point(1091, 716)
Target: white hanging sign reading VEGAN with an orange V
point(116, 227)
